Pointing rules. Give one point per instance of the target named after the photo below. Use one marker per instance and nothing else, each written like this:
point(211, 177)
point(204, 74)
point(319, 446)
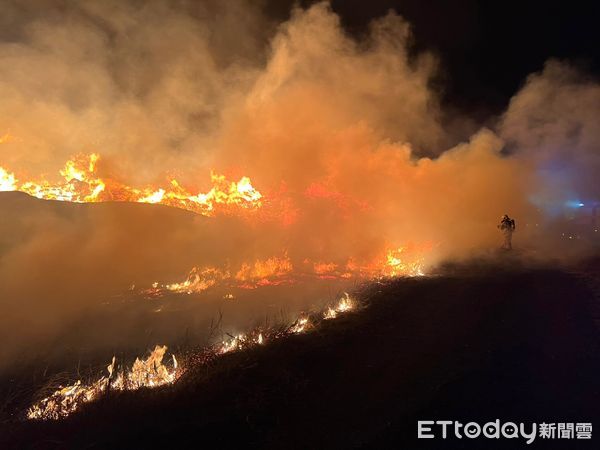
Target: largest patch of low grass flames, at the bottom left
point(150, 373)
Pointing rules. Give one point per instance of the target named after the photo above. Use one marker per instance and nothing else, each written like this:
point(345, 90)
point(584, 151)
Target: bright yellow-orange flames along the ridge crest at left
point(81, 183)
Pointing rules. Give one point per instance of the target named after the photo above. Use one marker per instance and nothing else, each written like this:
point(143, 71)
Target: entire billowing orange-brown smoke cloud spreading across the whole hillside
point(342, 135)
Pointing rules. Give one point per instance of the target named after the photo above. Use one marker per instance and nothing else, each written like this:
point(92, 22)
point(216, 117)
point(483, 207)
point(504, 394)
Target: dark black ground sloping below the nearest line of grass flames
point(475, 343)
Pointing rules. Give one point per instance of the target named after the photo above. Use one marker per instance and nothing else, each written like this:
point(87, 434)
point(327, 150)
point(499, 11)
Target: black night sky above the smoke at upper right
point(486, 48)
